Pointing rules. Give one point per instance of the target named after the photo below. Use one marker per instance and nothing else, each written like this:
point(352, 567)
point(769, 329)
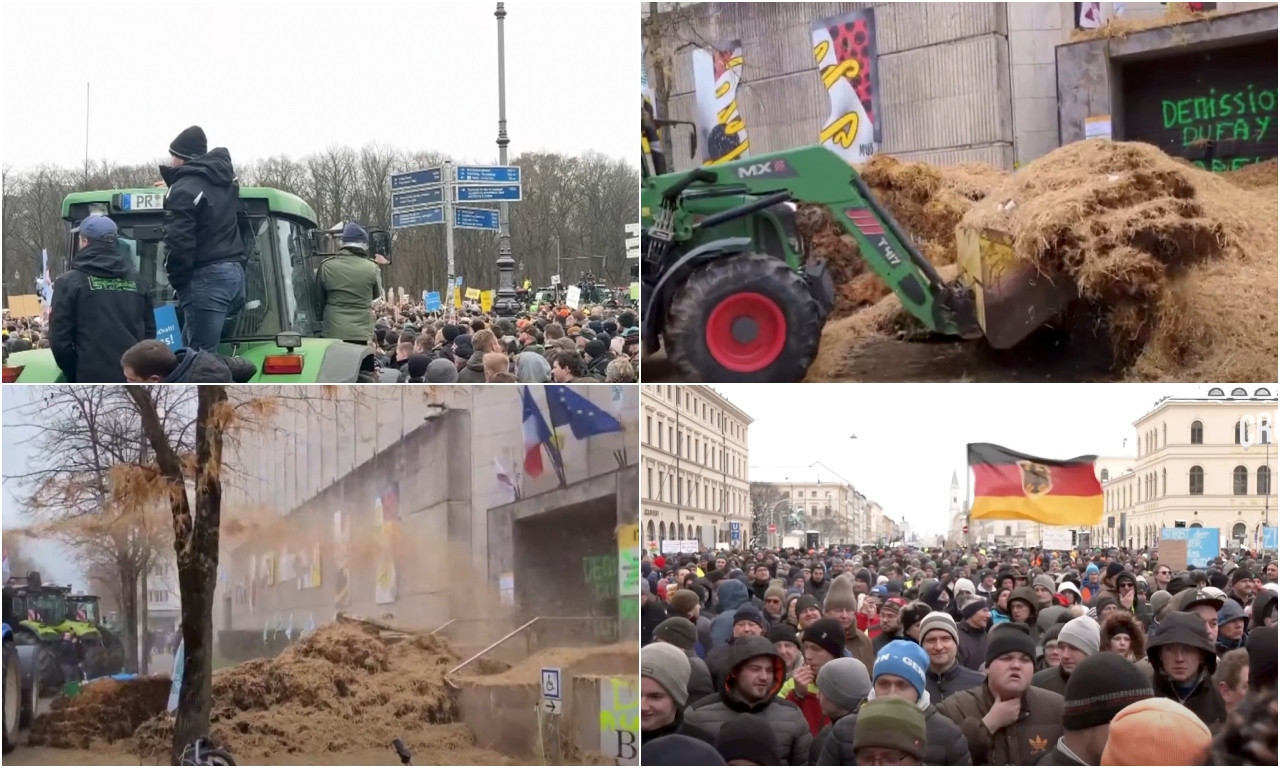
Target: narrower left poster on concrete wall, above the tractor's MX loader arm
point(721, 129)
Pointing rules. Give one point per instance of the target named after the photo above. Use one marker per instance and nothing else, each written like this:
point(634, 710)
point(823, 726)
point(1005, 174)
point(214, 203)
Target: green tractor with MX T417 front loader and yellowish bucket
point(733, 291)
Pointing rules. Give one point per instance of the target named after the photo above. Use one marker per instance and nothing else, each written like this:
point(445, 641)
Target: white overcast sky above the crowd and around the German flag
point(912, 437)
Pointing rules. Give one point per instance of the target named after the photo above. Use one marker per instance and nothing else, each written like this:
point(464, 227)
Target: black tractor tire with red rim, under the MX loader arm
point(746, 318)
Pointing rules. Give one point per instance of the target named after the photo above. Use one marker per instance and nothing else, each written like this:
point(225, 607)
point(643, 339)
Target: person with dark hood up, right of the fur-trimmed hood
point(1183, 661)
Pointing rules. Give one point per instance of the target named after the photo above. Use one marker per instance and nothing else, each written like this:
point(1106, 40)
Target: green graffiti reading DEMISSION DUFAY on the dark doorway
point(1244, 116)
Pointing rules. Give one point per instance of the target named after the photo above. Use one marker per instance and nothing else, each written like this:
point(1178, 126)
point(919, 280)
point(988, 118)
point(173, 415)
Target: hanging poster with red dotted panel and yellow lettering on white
point(844, 49)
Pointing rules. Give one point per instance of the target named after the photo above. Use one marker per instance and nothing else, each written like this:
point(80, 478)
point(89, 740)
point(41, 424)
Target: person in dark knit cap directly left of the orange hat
point(1100, 689)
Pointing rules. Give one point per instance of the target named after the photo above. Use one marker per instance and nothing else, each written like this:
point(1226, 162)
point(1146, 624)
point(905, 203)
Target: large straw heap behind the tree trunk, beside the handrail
point(341, 689)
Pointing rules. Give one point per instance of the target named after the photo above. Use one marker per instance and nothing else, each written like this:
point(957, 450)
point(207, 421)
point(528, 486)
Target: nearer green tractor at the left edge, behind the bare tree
point(39, 616)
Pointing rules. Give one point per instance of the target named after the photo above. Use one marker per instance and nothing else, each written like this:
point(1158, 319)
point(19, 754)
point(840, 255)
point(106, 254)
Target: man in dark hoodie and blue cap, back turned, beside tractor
point(100, 309)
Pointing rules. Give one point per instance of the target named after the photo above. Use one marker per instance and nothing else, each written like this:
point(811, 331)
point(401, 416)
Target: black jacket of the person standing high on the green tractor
point(200, 217)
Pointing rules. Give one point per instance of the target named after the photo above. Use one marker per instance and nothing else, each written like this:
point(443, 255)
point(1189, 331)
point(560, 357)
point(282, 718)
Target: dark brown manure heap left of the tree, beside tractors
point(103, 711)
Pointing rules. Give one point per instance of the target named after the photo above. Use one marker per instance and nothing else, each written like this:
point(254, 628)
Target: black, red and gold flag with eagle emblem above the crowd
point(1011, 486)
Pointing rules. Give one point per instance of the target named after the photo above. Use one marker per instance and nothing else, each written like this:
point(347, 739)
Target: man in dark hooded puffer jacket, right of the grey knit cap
point(752, 688)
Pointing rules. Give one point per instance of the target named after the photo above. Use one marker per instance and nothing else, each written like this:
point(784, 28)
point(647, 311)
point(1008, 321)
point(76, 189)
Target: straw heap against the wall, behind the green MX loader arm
point(929, 202)
